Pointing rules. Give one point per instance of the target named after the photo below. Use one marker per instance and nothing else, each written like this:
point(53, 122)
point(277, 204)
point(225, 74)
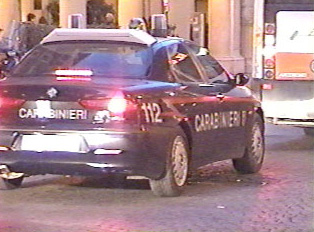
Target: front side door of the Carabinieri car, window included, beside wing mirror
point(234, 107)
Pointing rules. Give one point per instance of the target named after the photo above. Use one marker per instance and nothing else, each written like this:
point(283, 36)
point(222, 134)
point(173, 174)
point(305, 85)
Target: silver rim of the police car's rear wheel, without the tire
point(179, 158)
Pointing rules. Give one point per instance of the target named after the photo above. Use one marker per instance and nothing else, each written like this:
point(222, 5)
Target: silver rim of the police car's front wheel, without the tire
point(257, 144)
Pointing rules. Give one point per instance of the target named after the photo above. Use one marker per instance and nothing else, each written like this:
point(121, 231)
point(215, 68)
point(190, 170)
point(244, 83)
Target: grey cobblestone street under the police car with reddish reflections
point(278, 199)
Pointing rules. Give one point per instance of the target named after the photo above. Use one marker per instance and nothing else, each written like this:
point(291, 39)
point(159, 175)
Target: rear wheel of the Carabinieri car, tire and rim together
point(176, 172)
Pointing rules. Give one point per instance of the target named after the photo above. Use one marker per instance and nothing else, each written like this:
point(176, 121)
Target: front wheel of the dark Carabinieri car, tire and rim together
point(254, 153)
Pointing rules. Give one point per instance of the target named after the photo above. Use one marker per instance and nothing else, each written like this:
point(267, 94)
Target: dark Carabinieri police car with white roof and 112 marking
point(121, 102)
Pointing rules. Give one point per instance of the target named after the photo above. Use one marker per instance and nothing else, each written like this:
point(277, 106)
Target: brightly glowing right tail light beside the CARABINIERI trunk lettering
point(116, 108)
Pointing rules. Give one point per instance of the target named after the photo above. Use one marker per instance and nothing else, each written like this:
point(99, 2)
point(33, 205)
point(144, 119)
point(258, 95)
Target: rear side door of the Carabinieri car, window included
point(199, 103)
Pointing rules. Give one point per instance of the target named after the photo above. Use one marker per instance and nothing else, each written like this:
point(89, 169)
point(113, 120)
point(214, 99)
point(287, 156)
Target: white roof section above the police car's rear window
point(121, 35)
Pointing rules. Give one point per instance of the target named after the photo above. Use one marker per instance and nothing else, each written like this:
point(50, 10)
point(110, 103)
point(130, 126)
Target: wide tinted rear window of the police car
point(103, 59)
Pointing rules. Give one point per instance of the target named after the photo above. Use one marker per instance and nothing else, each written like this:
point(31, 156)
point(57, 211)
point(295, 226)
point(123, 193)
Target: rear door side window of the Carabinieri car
point(182, 65)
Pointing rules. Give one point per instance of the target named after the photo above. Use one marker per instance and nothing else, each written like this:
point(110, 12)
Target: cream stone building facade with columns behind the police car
point(224, 26)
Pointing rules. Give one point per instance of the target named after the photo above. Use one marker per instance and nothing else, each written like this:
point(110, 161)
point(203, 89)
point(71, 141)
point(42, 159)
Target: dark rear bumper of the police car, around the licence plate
point(142, 154)
